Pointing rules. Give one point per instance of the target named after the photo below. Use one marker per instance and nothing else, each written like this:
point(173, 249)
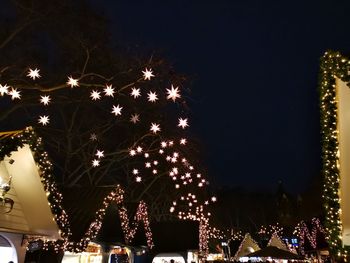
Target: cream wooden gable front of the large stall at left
point(31, 213)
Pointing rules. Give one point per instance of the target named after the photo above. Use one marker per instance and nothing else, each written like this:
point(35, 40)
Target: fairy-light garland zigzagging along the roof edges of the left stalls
point(54, 196)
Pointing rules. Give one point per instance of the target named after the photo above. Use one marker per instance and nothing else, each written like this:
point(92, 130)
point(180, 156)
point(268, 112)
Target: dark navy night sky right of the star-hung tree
point(255, 68)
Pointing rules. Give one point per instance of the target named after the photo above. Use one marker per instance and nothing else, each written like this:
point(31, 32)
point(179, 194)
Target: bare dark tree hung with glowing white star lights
point(97, 107)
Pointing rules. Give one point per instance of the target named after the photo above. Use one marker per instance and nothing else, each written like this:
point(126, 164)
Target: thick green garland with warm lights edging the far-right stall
point(333, 65)
